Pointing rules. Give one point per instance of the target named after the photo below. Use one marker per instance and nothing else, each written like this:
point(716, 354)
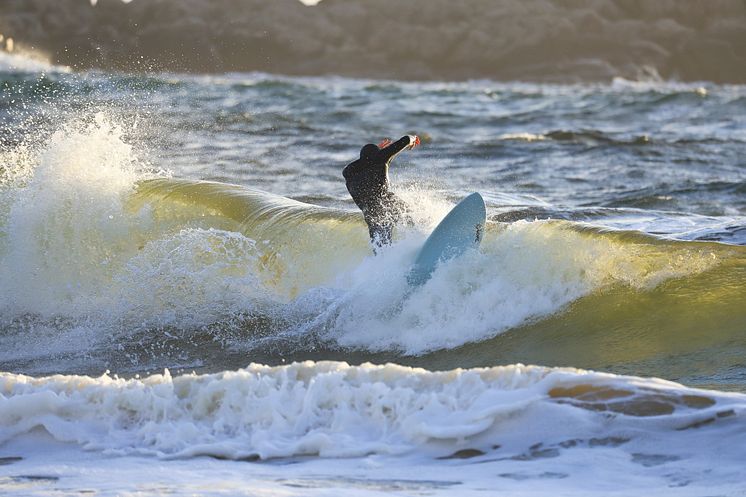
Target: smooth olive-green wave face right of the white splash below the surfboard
point(682, 326)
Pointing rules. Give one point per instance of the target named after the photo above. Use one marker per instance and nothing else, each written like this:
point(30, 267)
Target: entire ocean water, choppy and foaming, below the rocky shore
point(190, 305)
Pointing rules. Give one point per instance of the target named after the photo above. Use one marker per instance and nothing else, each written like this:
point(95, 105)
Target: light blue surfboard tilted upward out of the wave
point(461, 229)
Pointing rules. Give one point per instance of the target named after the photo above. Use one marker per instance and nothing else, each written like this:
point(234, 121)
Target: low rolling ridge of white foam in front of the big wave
point(335, 410)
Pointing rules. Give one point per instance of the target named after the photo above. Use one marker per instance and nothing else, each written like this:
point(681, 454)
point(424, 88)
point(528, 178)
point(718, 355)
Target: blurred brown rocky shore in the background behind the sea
point(545, 40)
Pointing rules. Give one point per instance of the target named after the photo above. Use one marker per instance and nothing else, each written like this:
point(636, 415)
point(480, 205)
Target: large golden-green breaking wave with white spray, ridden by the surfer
point(96, 246)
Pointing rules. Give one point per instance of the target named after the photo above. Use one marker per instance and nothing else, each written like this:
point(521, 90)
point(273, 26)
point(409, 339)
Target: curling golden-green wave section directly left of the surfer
point(302, 245)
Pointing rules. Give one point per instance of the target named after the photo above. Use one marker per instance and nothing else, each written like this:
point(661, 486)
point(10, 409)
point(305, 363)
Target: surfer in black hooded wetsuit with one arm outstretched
point(367, 181)
